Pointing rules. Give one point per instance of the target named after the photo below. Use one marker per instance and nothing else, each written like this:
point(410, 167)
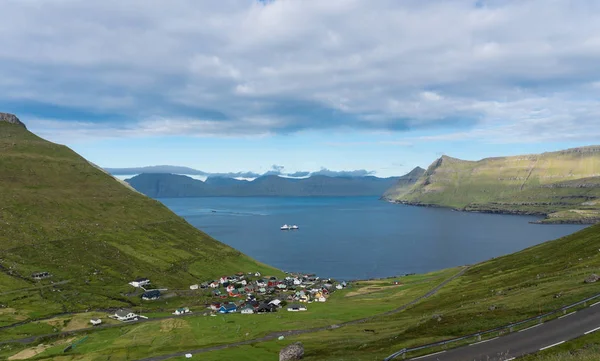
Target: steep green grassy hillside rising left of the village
point(60, 214)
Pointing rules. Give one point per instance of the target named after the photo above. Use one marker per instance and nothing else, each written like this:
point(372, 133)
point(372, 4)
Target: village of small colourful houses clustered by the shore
point(246, 293)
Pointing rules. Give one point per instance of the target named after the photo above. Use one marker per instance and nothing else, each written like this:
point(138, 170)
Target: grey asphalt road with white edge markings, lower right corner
point(529, 340)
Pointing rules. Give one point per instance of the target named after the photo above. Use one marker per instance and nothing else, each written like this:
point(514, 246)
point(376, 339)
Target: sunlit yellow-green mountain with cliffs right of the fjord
point(563, 185)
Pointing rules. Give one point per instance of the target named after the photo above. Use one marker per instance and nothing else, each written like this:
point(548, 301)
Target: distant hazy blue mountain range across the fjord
point(172, 185)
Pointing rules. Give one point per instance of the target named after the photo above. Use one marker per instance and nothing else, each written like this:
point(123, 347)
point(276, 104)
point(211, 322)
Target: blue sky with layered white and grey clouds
point(242, 85)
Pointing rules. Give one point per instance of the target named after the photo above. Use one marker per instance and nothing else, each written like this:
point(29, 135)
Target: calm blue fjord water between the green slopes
point(360, 237)
